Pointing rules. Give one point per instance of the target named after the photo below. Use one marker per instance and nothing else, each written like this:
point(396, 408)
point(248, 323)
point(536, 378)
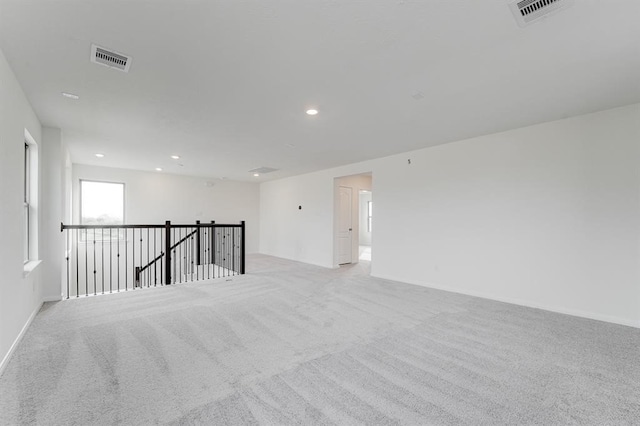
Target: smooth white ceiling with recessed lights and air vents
point(225, 83)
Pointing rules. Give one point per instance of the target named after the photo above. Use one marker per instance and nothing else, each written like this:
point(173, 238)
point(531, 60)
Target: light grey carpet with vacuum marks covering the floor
point(296, 344)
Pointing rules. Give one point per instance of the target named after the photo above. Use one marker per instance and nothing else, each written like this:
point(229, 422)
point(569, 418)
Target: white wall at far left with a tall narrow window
point(19, 296)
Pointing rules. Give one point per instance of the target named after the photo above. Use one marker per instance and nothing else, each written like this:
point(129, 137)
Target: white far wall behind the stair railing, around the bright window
point(152, 198)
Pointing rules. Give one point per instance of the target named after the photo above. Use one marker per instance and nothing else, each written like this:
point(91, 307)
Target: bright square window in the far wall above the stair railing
point(101, 203)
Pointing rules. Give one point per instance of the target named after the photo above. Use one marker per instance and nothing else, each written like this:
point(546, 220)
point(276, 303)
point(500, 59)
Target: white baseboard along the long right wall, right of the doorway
point(519, 302)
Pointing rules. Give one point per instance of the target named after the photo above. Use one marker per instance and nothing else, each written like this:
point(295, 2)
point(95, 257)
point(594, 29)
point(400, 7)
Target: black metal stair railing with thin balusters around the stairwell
point(112, 258)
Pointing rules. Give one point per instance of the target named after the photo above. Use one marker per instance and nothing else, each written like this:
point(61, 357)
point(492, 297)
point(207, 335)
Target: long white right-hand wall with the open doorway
point(545, 216)
